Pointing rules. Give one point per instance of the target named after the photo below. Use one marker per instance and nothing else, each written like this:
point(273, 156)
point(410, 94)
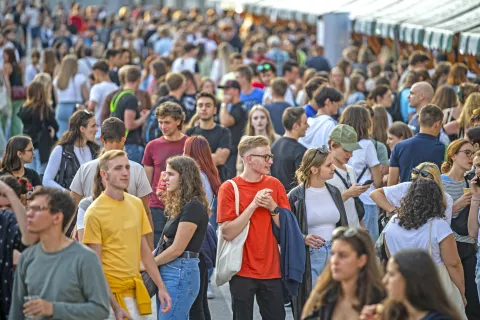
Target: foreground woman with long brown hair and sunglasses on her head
point(350, 281)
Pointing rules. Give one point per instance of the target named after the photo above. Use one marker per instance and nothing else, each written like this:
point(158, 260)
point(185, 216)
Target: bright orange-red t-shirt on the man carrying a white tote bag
point(261, 257)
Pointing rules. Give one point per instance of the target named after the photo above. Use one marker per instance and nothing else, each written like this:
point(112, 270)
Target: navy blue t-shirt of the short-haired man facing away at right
point(408, 154)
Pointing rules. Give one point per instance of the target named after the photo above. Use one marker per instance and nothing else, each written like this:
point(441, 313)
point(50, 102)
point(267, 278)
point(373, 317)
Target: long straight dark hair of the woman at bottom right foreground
point(423, 288)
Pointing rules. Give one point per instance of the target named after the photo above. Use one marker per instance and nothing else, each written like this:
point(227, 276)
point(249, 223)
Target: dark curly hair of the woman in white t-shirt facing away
point(422, 202)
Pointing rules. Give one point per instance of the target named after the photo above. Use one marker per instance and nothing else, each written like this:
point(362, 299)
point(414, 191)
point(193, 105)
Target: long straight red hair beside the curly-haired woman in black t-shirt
point(198, 148)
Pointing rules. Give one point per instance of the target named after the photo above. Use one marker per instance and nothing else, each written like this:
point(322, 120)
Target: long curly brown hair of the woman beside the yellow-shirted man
point(190, 186)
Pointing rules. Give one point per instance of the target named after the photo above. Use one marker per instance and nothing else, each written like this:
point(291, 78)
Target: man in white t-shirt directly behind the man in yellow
point(113, 138)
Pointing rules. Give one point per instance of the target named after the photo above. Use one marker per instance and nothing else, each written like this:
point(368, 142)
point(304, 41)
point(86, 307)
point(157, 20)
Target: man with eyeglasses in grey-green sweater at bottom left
point(58, 277)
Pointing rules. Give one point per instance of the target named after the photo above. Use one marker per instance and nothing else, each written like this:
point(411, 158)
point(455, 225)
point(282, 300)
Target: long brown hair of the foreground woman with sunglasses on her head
point(370, 289)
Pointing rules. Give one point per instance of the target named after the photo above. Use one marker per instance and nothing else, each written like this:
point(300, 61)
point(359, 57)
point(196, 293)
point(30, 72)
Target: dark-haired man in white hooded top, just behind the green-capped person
point(328, 101)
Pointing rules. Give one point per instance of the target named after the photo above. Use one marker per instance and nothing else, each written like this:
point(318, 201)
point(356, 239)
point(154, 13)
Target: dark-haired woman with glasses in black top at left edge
point(19, 151)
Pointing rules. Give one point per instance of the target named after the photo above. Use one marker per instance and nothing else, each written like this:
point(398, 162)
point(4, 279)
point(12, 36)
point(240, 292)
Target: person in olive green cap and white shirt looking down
point(342, 142)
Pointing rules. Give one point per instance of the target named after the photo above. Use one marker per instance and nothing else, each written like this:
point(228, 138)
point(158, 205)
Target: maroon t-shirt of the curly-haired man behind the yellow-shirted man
point(156, 154)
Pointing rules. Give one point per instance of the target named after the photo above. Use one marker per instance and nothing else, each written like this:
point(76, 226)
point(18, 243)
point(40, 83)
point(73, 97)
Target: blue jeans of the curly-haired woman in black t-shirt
point(182, 279)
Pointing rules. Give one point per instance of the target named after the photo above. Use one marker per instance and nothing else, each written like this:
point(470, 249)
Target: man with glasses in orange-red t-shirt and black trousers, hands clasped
point(261, 197)
